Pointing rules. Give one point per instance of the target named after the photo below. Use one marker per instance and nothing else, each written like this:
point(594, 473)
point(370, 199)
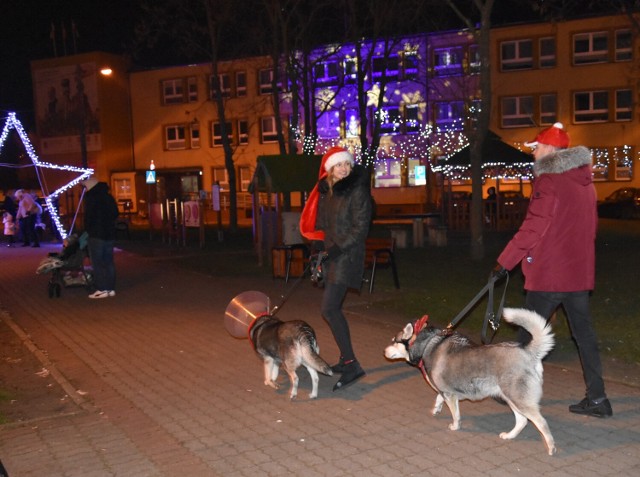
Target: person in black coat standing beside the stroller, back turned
point(100, 214)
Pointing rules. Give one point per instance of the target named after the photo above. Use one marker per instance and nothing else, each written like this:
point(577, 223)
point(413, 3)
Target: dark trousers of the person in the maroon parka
point(576, 306)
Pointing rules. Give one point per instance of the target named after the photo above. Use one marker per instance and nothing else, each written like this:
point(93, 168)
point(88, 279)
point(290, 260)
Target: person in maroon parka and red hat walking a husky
point(556, 248)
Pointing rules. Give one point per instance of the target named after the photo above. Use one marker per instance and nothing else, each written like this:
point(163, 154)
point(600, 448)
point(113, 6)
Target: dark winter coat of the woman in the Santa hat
point(344, 214)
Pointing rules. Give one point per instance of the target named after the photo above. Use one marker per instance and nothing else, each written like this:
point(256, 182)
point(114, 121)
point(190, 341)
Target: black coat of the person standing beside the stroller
point(100, 212)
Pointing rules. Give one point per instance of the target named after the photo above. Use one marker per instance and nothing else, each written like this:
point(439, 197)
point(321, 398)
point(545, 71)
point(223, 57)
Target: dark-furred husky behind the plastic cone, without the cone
point(290, 344)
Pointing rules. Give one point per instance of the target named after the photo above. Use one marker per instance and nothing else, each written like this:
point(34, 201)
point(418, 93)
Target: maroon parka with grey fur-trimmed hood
point(556, 241)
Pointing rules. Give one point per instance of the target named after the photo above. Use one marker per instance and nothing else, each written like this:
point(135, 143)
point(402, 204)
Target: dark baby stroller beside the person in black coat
point(68, 267)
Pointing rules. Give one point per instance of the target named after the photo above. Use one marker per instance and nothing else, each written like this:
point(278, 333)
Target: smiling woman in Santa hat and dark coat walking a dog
point(342, 217)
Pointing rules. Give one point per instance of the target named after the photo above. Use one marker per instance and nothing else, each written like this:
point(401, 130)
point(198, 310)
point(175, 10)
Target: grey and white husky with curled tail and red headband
point(457, 369)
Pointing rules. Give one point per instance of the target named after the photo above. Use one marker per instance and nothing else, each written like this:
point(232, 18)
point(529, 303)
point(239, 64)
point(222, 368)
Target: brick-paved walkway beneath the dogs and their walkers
point(162, 390)
